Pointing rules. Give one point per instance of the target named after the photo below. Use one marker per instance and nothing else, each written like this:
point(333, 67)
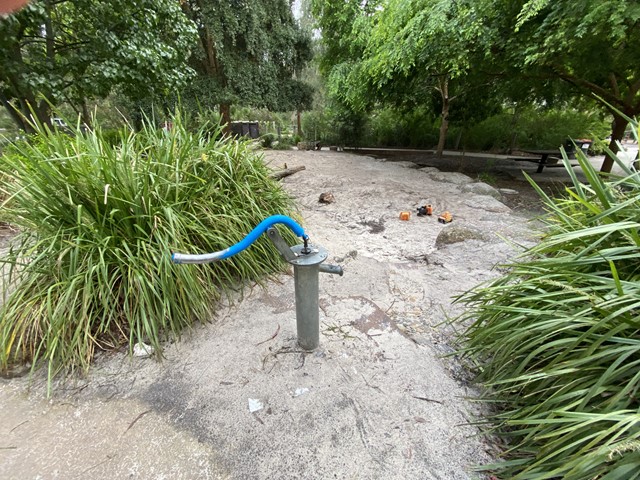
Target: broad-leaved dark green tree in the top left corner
point(55, 51)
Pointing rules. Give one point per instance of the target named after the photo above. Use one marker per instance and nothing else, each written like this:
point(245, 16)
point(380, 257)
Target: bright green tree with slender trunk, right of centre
point(400, 53)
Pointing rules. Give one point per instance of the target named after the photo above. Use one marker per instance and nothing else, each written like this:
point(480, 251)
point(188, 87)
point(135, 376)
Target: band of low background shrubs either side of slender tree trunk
point(418, 128)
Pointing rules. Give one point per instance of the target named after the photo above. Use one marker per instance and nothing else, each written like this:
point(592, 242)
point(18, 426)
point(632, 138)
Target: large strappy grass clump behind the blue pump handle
point(91, 267)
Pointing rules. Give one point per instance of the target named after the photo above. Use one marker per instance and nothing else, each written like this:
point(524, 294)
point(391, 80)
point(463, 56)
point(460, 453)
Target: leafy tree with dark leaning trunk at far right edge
point(590, 45)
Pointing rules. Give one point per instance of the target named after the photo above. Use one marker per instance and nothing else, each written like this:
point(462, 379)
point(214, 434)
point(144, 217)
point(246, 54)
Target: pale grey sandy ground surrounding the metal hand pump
point(377, 399)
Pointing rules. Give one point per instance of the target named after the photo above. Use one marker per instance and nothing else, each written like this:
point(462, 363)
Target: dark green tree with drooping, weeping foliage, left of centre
point(250, 52)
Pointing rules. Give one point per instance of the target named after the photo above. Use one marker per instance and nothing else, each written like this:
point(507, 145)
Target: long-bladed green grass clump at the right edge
point(556, 341)
